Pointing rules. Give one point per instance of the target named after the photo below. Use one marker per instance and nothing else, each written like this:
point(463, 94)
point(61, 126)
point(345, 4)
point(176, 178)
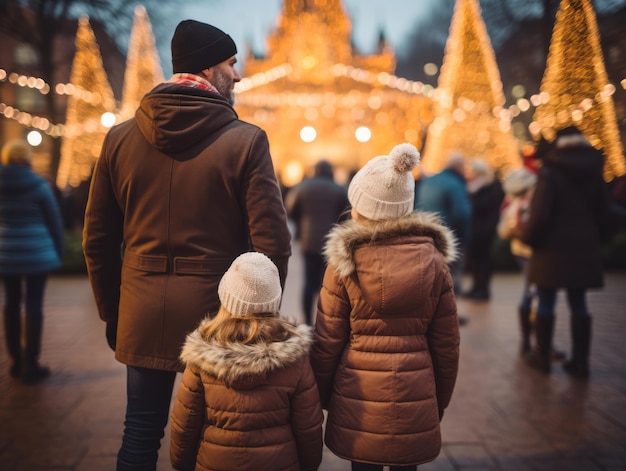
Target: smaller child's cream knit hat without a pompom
point(251, 285)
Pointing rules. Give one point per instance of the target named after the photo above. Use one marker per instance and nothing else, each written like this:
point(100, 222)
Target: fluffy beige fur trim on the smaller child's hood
point(245, 364)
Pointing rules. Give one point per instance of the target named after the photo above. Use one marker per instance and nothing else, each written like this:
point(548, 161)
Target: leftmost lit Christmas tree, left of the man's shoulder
point(90, 96)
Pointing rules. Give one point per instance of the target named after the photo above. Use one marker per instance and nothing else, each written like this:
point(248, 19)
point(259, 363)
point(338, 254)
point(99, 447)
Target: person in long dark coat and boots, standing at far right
point(567, 222)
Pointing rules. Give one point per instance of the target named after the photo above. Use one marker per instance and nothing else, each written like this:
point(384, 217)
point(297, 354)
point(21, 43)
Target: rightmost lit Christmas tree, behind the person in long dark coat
point(575, 89)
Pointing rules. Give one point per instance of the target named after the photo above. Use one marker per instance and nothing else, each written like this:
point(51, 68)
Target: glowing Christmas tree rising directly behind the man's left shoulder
point(143, 67)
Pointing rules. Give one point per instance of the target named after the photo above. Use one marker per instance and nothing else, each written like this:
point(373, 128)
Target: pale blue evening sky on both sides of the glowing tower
point(252, 20)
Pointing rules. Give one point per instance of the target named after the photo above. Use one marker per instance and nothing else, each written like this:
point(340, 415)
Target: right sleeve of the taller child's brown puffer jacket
point(444, 340)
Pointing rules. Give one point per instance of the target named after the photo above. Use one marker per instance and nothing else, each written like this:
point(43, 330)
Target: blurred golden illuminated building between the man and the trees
point(317, 98)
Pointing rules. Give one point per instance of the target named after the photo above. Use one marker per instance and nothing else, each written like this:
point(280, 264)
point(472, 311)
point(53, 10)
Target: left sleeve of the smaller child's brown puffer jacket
point(187, 420)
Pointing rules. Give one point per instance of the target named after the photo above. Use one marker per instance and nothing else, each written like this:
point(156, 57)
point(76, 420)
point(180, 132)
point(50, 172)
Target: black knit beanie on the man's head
point(197, 46)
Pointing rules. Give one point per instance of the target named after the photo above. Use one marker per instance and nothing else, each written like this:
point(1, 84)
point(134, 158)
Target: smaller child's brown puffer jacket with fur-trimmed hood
point(247, 407)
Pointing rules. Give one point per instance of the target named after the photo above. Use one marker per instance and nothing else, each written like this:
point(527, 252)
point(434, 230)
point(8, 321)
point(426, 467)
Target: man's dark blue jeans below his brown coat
point(149, 393)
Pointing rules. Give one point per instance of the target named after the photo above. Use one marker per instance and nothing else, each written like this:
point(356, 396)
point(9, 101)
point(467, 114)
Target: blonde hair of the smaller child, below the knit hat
point(263, 327)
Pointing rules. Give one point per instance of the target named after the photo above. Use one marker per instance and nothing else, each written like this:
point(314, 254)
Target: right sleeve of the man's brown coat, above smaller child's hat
point(263, 203)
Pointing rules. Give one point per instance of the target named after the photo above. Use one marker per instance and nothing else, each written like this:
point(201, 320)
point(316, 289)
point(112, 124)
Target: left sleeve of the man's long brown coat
point(102, 240)
